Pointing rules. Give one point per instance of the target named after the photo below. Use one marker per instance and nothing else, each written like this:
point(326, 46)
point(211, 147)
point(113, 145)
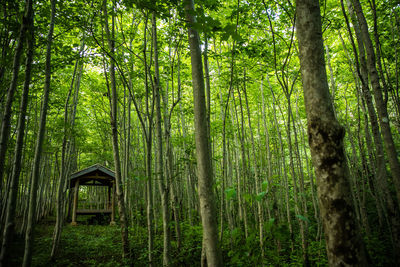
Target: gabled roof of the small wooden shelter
point(97, 174)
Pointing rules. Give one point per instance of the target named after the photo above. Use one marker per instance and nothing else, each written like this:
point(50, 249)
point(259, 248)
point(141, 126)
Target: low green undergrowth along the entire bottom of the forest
point(94, 245)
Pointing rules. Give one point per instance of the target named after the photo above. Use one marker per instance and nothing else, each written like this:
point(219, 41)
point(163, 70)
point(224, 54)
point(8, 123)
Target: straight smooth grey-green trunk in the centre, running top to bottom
point(206, 194)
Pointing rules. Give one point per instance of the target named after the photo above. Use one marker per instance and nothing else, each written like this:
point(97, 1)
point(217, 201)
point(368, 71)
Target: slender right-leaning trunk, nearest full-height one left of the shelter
point(39, 144)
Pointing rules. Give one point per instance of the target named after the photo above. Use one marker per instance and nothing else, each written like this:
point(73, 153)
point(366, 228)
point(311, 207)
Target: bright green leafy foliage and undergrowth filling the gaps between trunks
point(240, 41)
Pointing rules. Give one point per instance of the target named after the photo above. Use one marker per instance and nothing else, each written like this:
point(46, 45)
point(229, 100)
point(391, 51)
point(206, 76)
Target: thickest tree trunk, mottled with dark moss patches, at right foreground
point(343, 242)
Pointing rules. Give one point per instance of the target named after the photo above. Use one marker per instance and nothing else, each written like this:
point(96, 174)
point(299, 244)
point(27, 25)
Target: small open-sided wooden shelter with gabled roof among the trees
point(96, 175)
